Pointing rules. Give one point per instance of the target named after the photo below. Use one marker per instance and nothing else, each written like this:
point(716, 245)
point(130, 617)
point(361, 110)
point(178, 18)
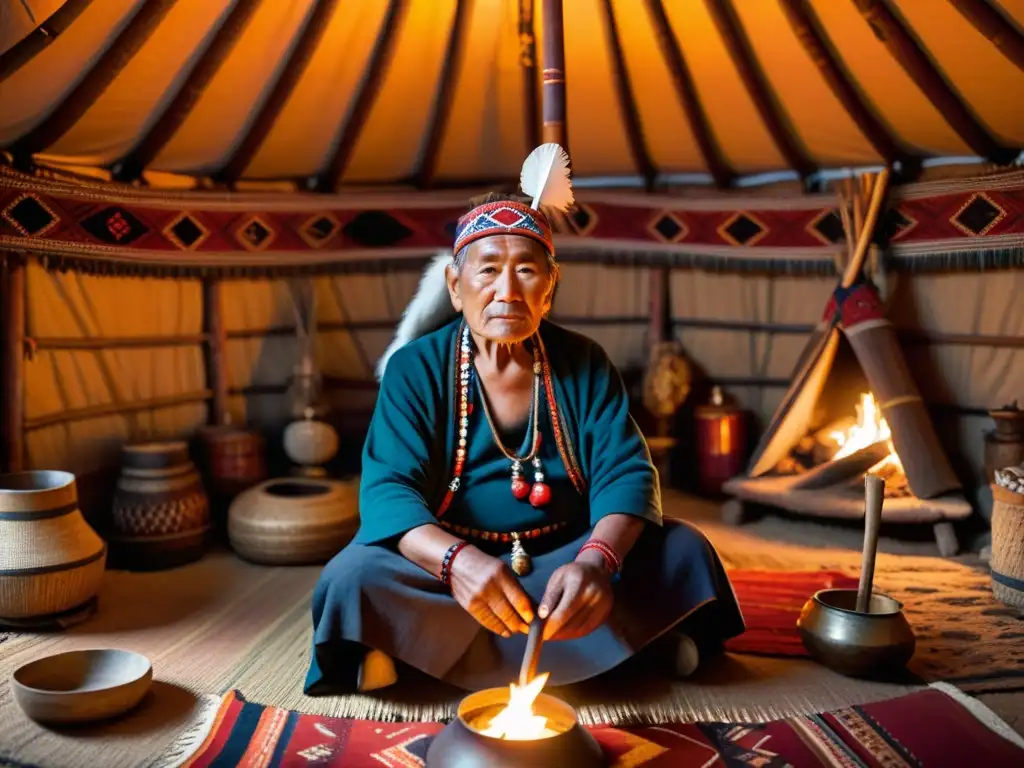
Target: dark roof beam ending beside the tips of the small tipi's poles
point(816, 40)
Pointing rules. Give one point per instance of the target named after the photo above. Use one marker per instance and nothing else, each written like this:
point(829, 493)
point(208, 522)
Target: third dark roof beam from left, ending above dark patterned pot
point(192, 89)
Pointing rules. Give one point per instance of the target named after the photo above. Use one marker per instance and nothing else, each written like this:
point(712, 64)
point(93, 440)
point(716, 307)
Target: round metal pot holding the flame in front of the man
point(462, 745)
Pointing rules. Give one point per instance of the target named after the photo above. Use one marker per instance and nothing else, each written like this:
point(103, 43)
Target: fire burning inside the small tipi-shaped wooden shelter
point(845, 438)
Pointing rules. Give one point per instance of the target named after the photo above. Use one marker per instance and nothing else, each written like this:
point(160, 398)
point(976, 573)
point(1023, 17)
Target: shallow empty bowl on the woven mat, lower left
point(82, 687)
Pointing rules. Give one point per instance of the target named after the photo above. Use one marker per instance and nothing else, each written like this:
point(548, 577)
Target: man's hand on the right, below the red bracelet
point(577, 602)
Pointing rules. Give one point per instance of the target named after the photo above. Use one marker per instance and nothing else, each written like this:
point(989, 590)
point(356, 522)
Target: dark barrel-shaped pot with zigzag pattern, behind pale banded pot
point(161, 511)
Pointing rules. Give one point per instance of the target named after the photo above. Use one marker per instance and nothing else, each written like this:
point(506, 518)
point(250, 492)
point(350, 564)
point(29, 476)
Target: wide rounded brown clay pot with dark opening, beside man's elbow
point(294, 522)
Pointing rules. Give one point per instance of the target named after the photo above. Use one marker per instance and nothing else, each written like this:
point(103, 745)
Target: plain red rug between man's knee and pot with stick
point(772, 602)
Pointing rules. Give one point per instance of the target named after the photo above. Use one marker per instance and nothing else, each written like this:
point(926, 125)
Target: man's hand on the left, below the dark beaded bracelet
point(489, 591)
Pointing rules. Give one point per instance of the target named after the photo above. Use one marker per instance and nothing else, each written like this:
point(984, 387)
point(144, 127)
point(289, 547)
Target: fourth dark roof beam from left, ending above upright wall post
point(290, 75)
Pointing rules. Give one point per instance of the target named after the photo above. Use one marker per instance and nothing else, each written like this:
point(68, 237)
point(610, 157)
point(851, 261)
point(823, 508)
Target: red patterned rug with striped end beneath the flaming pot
point(926, 729)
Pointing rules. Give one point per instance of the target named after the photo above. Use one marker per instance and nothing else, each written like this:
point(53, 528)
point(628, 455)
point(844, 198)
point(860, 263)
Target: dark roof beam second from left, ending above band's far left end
point(100, 76)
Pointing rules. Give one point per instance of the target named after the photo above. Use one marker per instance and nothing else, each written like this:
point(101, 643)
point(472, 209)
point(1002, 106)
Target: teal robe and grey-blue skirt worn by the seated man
point(371, 598)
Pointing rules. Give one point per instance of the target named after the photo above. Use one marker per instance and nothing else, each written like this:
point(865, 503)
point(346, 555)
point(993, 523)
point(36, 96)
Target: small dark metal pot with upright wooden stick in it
point(875, 645)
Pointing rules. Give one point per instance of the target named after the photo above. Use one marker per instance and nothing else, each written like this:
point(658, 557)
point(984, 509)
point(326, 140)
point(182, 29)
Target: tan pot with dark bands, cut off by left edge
point(52, 562)
